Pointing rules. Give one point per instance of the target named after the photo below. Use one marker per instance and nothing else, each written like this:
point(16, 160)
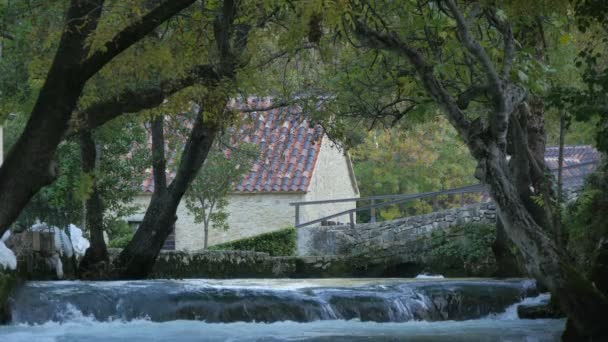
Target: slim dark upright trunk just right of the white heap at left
point(98, 251)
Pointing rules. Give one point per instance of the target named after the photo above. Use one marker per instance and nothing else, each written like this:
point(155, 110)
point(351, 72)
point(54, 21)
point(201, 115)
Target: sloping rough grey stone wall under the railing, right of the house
point(371, 238)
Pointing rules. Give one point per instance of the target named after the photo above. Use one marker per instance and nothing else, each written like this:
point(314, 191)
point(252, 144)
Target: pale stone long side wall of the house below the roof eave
point(250, 215)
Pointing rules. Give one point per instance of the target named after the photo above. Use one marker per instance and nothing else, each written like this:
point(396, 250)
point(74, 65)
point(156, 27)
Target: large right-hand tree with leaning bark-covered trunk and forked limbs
point(549, 264)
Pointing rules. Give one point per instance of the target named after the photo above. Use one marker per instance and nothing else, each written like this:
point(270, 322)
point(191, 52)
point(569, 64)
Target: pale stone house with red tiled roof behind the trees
point(297, 162)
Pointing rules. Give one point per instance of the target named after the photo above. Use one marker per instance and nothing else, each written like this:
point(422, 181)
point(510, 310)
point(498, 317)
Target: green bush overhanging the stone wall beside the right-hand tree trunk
point(469, 245)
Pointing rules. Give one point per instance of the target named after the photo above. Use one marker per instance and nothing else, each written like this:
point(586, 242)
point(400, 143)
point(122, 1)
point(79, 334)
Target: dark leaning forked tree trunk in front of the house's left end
point(138, 258)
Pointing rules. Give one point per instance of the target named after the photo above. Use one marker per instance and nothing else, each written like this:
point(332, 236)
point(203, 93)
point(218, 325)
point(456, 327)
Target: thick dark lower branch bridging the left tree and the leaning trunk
point(133, 101)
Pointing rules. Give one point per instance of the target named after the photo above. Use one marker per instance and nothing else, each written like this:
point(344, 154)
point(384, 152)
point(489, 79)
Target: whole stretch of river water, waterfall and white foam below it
point(278, 310)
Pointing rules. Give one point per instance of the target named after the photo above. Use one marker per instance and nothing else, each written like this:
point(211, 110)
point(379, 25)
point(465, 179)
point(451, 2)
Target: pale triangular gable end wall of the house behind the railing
point(331, 179)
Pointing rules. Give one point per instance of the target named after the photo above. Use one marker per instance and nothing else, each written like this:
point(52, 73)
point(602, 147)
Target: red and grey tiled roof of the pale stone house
point(289, 146)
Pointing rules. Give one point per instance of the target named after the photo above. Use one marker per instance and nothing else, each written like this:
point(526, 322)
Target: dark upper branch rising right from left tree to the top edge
point(132, 34)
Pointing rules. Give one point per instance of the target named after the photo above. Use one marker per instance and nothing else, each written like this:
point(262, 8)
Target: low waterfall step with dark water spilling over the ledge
point(388, 300)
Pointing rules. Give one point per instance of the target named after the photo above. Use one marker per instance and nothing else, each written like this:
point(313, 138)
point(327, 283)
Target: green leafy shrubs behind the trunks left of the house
point(119, 174)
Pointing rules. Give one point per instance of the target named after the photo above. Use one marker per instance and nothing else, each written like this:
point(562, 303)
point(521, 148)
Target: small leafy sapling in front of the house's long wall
point(207, 196)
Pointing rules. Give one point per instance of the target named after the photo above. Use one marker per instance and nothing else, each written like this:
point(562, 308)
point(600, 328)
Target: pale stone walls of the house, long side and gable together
point(258, 213)
